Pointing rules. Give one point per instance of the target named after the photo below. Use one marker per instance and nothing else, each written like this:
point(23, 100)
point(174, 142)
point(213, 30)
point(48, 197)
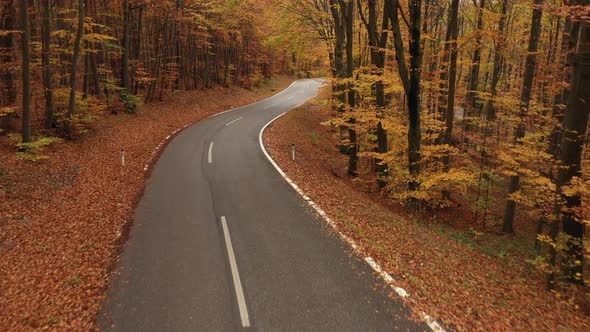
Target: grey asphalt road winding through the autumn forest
point(222, 243)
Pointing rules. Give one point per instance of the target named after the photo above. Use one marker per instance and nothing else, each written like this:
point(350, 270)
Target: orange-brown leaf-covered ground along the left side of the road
point(63, 219)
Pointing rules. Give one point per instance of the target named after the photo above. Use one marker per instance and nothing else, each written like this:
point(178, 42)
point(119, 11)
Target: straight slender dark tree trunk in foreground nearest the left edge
point(26, 70)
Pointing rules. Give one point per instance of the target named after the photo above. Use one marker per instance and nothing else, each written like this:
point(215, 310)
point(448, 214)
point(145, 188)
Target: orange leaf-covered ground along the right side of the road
point(471, 281)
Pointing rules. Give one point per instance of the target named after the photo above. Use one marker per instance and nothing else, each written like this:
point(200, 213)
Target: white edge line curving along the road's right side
point(387, 278)
